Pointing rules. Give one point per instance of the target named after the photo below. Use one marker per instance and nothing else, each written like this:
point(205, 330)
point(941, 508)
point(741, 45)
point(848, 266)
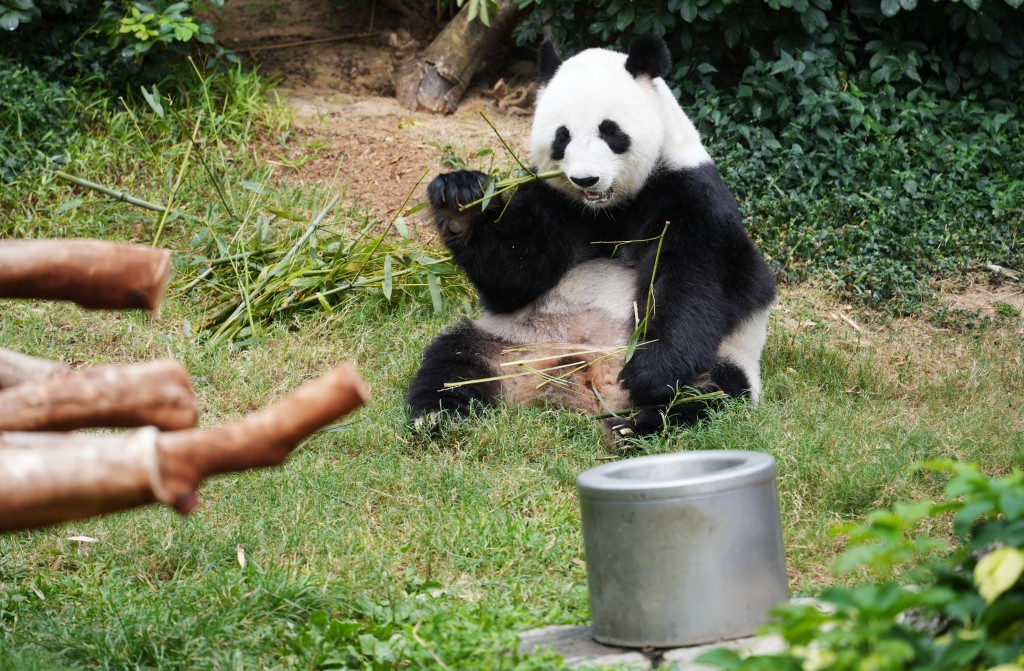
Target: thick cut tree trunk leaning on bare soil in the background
point(437, 80)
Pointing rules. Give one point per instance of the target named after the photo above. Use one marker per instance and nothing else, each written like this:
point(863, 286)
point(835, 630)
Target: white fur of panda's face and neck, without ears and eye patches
point(591, 88)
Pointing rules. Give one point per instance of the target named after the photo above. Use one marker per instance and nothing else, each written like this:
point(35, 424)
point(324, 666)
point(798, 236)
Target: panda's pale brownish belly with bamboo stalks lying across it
point(569, 347)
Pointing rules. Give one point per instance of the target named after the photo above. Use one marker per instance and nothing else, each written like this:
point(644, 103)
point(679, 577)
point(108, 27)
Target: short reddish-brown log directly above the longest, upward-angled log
point(157, 394)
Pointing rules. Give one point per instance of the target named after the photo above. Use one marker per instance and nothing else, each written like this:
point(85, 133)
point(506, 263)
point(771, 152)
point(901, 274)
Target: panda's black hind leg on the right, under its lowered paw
point(727, 378)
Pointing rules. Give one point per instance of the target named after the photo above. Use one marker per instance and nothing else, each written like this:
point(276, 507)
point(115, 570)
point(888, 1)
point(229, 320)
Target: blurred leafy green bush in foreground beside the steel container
point(966, 612)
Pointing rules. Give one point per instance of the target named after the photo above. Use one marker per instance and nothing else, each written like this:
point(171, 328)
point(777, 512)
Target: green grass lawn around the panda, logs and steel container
point(375, 549)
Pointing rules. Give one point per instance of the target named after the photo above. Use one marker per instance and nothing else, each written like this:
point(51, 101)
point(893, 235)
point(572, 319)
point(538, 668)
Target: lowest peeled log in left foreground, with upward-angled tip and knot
point(51, 478)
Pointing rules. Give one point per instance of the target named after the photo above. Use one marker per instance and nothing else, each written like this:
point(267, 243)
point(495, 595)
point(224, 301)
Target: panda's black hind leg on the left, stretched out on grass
point(461, 354)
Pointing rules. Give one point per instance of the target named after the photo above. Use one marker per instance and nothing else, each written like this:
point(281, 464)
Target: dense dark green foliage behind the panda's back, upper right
point(872, 144)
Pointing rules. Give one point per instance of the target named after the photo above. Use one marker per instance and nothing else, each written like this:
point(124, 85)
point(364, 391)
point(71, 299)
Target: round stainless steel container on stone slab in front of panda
point(682, 549)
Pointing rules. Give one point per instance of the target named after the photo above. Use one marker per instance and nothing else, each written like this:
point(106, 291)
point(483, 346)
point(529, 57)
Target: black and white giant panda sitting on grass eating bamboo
point(621, 287)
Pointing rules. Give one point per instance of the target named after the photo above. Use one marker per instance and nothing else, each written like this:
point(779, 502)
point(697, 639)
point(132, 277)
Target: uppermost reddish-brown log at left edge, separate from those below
point(94, 274)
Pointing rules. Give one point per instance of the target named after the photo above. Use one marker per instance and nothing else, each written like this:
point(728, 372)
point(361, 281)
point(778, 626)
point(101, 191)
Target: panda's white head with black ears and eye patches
point(600, 120)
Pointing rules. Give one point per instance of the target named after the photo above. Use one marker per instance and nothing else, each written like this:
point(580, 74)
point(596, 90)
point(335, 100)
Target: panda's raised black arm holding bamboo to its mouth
point(515, 250)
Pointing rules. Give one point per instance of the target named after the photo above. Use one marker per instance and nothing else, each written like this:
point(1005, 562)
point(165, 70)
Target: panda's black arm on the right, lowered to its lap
point(708, 278)
